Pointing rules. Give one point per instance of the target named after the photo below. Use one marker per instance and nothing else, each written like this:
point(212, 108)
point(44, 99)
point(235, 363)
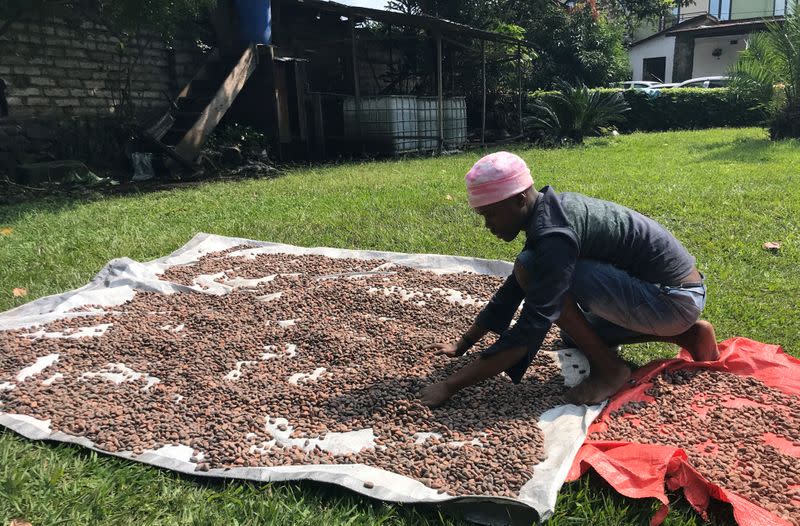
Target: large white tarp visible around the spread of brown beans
point(564, 427)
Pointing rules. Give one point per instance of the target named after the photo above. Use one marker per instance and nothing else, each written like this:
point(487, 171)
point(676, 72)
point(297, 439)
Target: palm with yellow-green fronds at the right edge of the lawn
point(769, 70)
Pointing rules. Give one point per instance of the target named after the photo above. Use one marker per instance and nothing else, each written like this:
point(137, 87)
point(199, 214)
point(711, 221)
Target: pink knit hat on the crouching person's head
point(495, 177)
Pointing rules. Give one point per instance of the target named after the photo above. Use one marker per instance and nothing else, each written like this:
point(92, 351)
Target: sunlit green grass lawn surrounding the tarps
point(722, 192)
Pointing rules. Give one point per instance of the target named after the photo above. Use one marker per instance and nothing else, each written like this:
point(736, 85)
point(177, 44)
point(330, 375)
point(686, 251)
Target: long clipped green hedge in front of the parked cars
point(681, 109)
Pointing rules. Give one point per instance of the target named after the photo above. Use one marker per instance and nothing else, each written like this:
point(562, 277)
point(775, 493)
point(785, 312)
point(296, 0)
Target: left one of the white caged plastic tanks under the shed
point(388, 122)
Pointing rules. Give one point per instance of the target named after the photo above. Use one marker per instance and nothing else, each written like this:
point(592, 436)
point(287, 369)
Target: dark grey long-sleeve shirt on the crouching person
point(562, 229)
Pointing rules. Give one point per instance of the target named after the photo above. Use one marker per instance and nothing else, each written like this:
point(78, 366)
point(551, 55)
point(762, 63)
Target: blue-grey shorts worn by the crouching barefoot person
point(622, 308)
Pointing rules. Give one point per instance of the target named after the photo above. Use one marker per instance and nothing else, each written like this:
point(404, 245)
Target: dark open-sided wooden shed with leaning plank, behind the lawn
point(308, 88)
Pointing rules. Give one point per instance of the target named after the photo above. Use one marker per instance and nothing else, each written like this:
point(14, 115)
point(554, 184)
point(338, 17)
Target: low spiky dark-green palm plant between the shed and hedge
point(575, 112)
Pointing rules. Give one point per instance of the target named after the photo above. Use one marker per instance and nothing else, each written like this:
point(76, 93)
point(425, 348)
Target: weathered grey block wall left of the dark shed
point(60, 75)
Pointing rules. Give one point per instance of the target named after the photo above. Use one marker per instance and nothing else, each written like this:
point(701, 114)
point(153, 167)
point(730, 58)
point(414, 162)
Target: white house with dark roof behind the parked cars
point(699, 40)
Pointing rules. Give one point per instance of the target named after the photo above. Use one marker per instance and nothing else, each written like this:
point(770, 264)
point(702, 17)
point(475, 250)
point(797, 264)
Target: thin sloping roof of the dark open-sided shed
point(431, 23)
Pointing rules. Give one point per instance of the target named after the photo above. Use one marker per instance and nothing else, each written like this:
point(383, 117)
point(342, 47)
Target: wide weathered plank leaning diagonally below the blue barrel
point(189, 147)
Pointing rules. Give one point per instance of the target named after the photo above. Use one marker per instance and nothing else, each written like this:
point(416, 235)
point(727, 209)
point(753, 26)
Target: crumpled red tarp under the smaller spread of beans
point(645, 470)
